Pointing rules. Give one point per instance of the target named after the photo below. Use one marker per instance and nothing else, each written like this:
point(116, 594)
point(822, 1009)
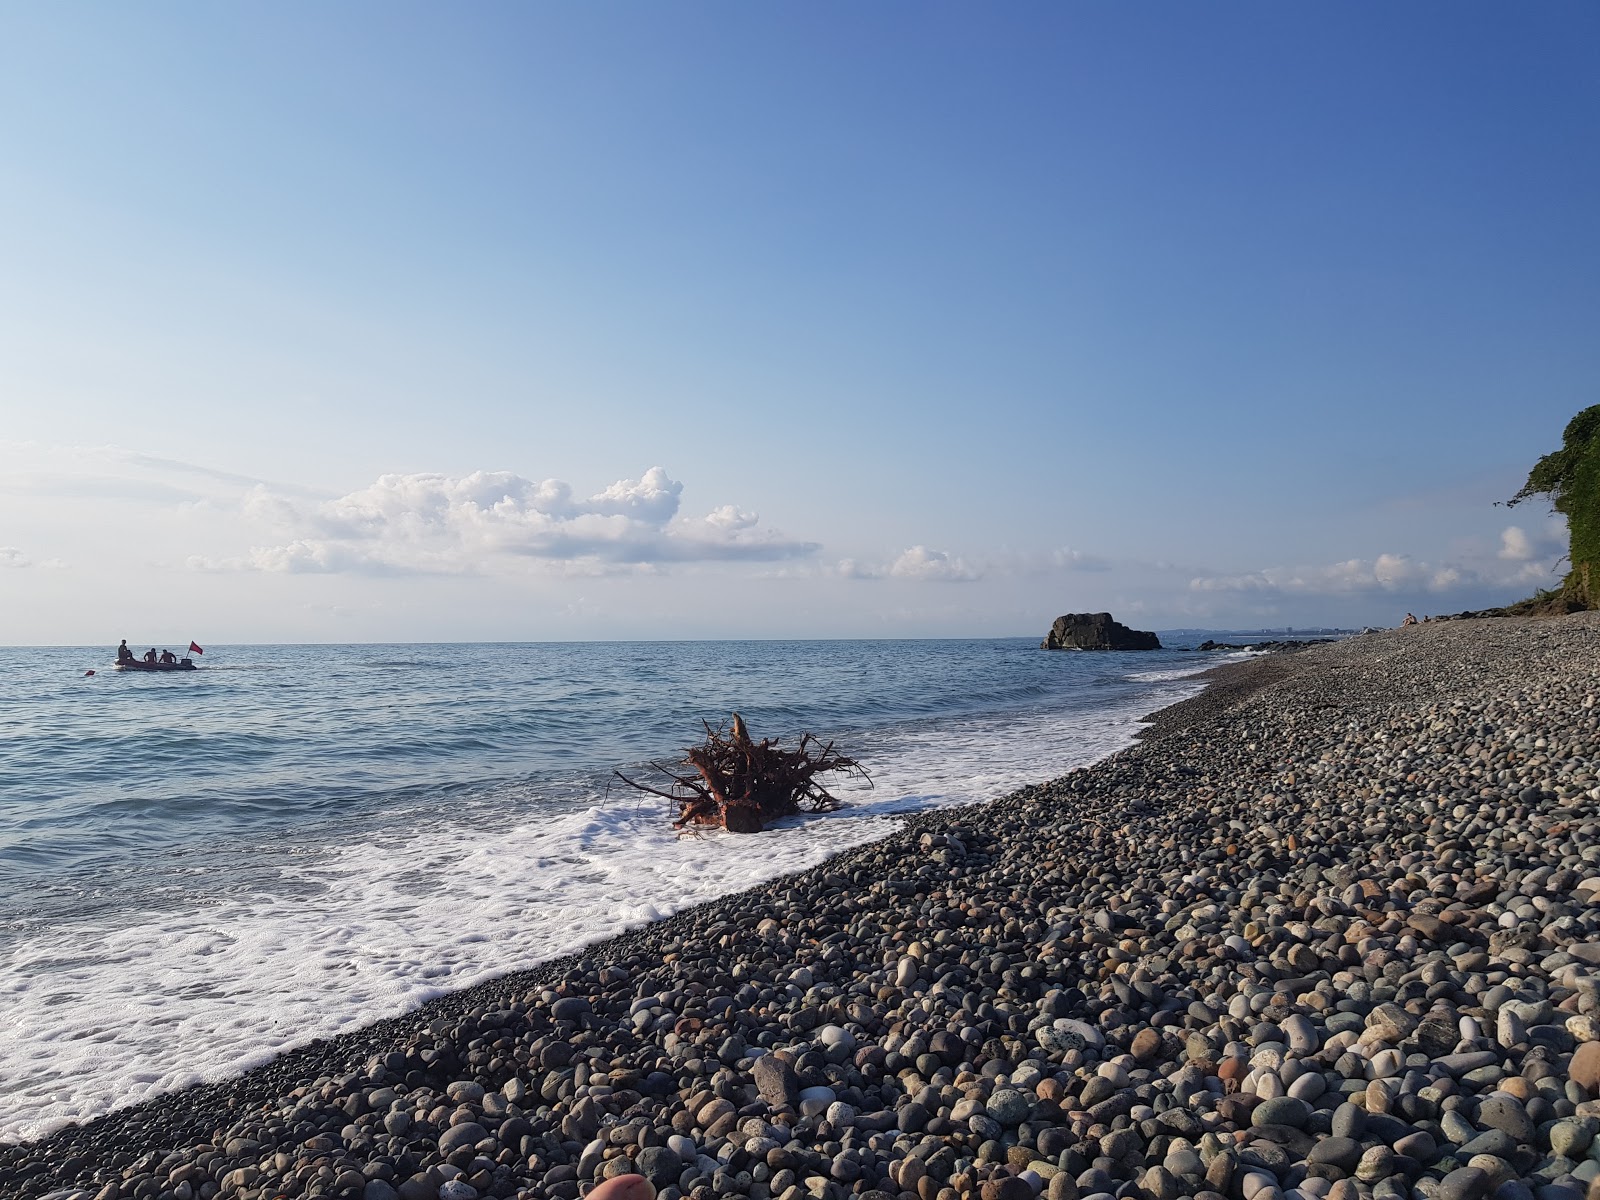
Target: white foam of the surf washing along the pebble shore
point(100, 1017)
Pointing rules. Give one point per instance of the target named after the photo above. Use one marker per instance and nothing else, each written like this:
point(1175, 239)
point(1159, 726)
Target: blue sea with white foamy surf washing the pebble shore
point(204, 870)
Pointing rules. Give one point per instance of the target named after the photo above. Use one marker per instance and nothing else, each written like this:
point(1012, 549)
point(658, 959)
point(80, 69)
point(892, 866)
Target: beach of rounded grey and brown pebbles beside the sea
point(1330, 930)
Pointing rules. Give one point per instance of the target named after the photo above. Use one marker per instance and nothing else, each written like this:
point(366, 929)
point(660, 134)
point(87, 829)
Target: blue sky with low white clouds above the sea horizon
point(399, 322)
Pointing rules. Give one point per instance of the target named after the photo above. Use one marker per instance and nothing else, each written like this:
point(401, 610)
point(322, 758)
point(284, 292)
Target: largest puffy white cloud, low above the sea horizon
point(444, 526)
